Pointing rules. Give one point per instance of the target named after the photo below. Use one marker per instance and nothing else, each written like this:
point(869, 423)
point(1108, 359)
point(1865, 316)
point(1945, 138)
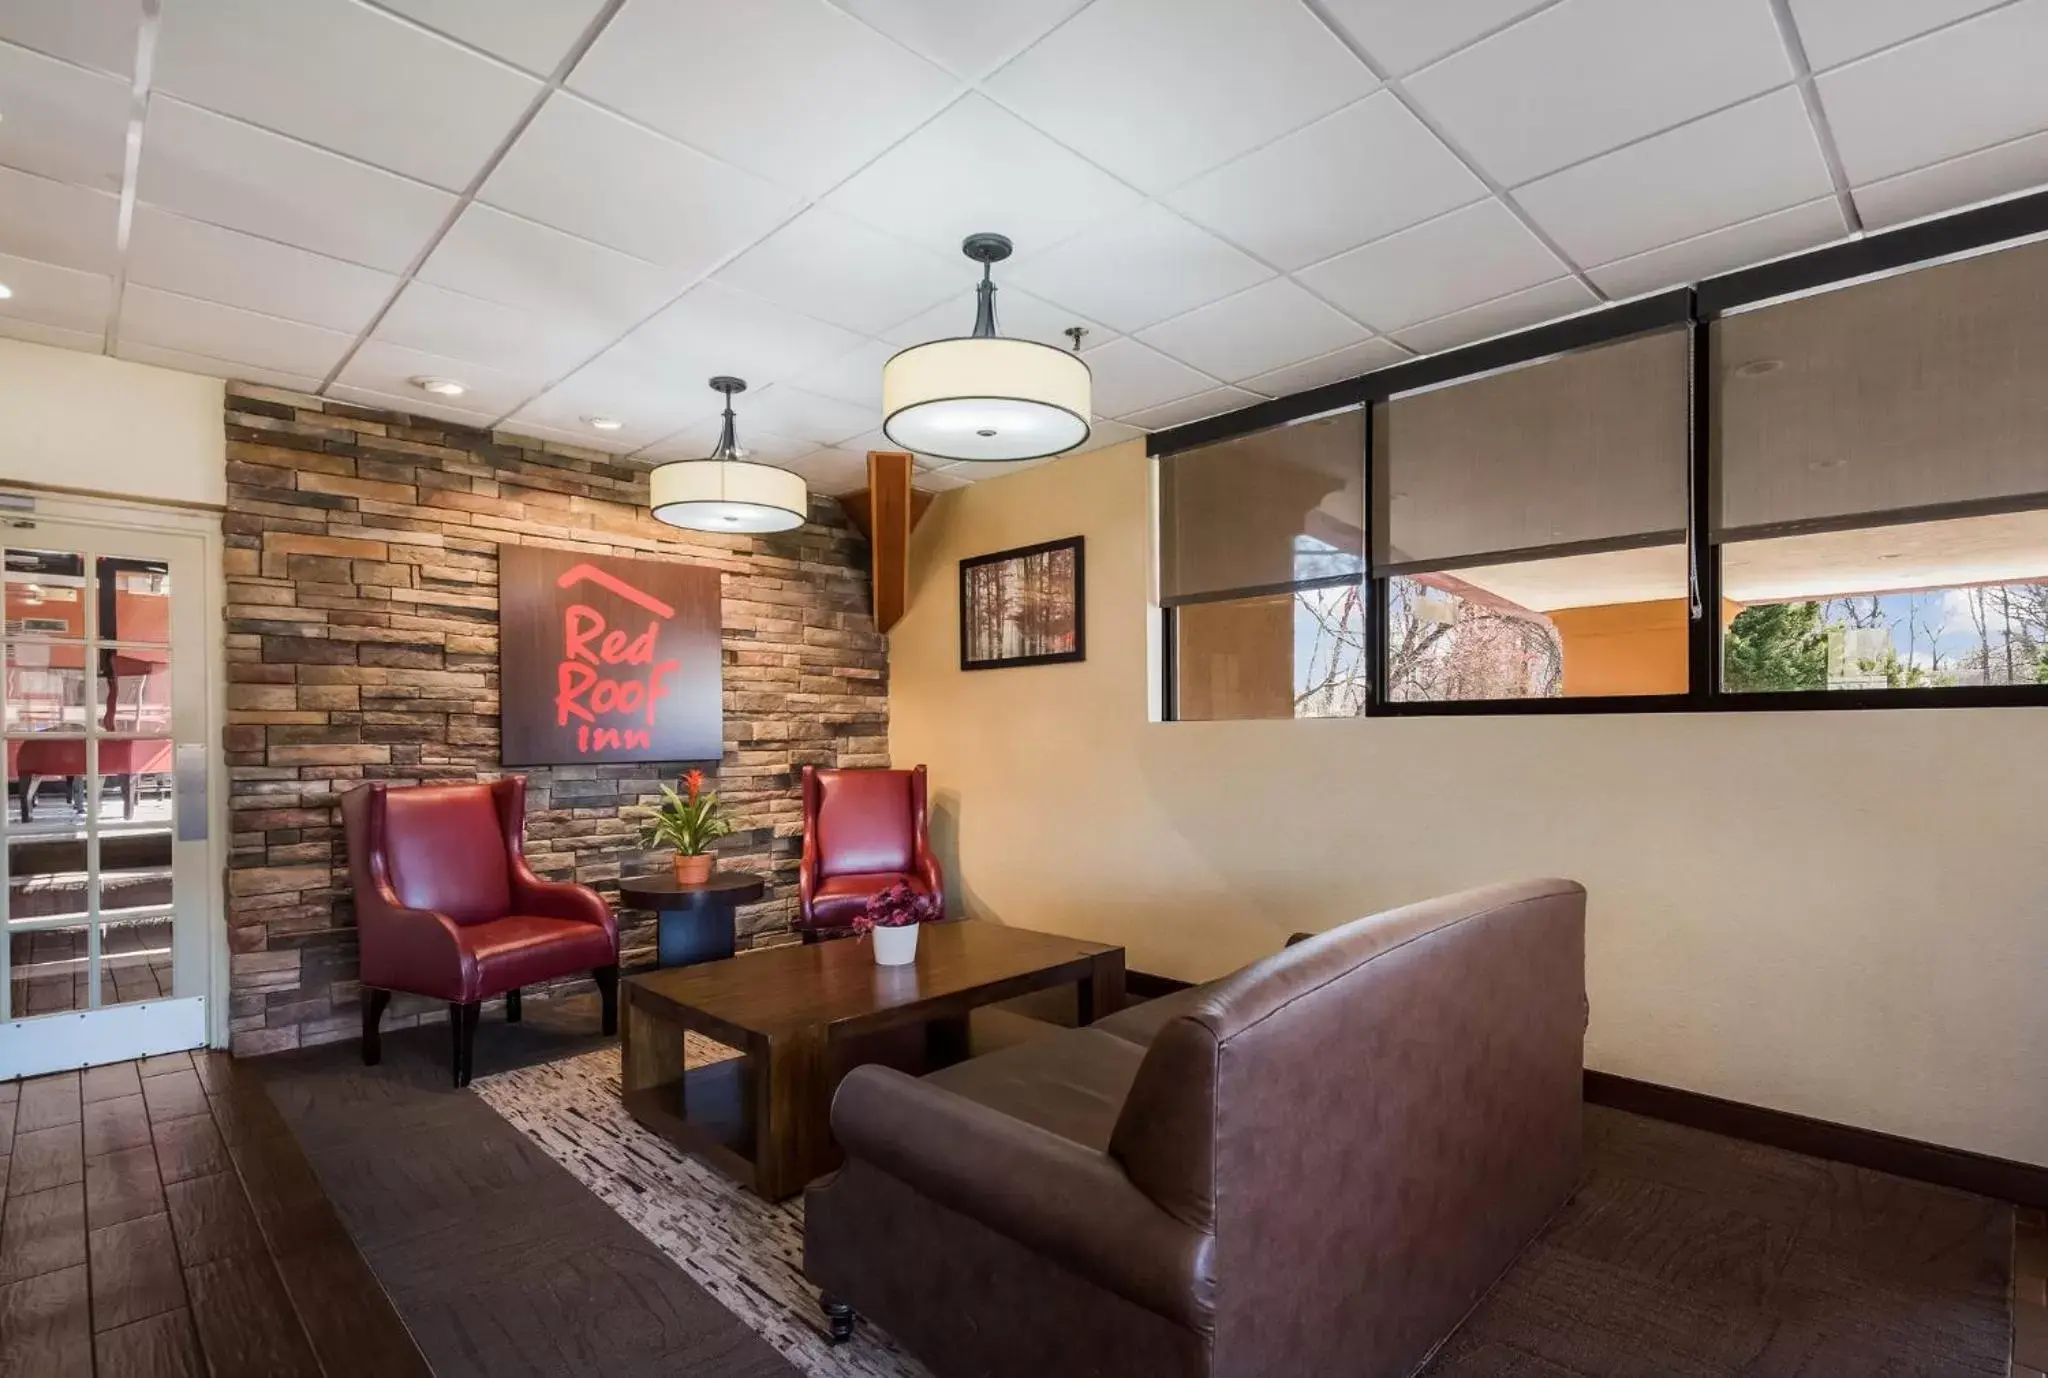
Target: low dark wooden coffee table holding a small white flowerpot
point(798, 1015)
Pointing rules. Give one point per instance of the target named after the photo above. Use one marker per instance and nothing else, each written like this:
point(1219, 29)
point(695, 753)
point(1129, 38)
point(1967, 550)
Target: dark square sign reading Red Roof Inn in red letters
point(607, 660)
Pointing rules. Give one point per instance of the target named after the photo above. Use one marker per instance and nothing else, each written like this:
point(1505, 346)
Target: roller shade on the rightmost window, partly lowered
point(1904, 398)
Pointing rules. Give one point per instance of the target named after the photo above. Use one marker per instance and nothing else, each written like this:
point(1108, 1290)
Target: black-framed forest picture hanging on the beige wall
point(1023, 607)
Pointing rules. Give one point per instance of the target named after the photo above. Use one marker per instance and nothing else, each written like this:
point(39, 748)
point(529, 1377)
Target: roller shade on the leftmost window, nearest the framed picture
point(1265, 513)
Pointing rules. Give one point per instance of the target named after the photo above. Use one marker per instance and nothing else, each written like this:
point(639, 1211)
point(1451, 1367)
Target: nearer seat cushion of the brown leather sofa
point(1072, 1082)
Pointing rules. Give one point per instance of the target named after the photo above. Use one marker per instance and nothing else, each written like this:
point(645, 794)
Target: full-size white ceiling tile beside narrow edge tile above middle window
point(1435, 269)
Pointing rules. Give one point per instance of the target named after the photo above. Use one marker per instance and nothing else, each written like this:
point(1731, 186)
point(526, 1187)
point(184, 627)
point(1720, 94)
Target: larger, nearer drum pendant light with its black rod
point(986, 398)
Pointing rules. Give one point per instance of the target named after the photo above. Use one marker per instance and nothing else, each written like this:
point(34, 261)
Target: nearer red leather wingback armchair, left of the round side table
point(447, 908)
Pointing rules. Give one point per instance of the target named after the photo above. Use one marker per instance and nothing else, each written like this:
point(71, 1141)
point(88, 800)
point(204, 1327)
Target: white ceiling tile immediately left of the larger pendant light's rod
point(847, 273)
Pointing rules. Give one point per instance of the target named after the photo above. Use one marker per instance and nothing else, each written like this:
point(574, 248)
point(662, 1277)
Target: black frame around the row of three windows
point(2004, 224)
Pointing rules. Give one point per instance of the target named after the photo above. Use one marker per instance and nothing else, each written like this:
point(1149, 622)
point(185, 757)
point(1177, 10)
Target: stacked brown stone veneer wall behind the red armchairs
point(364, 646)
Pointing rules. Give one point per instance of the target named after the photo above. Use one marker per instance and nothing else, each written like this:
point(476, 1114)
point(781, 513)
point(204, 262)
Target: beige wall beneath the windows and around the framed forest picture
point(1838, 914)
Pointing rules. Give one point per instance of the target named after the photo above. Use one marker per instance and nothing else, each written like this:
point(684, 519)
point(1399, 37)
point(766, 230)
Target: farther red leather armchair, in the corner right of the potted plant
point(863, 830)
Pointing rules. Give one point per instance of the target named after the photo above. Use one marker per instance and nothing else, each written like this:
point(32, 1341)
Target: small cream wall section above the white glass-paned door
point(110, 427)
